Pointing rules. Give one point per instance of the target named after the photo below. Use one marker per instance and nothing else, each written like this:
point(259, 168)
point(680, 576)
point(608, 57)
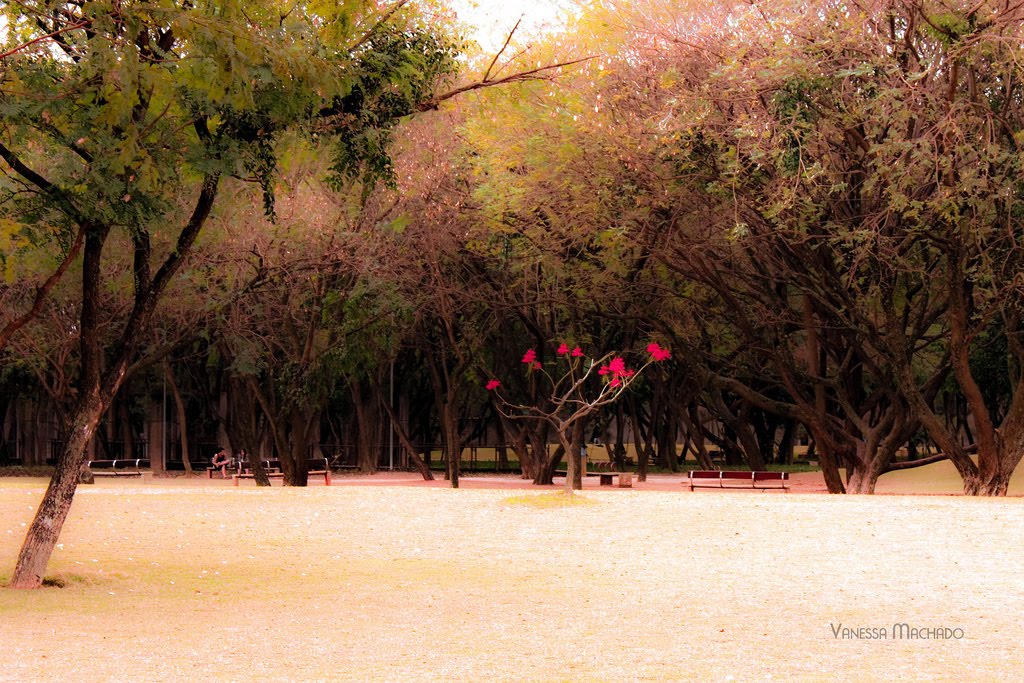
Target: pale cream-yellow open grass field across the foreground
point(180, 580)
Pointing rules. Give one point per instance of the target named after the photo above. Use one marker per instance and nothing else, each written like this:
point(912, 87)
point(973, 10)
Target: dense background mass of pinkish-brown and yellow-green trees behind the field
point(814, 206)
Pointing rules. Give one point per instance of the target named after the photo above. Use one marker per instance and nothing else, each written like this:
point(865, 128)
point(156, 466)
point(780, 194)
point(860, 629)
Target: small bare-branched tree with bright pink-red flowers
point(573, 378)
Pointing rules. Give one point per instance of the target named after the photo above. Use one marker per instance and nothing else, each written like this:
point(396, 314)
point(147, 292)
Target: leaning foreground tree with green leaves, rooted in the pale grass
point(130, 118)
